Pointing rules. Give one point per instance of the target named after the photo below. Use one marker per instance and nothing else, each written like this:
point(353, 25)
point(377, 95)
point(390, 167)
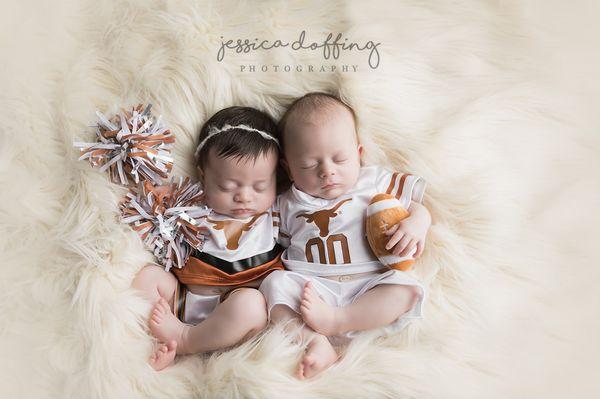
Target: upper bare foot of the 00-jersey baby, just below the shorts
point(321, 317)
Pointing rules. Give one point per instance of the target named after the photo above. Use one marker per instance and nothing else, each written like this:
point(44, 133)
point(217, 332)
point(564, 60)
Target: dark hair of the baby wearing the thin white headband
point(238, 143)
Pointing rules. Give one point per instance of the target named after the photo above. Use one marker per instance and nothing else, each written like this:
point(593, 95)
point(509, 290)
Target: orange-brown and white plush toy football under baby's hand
point(384, 212)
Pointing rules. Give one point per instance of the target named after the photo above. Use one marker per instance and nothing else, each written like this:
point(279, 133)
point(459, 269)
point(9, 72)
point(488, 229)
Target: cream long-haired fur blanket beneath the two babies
point(493, 103)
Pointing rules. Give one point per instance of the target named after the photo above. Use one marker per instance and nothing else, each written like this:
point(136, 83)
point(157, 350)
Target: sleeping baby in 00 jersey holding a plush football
point(333, 280)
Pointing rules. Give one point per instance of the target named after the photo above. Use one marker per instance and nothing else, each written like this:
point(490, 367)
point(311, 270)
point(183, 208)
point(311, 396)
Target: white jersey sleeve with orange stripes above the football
point(404, 186)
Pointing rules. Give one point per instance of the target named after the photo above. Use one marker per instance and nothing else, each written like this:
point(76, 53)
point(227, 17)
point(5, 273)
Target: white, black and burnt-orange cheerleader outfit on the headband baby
point(236, 253)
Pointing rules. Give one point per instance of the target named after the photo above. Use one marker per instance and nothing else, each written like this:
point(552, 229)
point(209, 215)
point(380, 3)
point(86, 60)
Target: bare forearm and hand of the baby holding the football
point(410, 232)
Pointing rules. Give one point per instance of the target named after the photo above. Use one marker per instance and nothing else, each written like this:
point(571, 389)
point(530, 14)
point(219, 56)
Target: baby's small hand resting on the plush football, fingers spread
point(406, 235)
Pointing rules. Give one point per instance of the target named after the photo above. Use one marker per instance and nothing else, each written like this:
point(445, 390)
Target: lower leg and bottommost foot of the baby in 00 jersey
point(319, 353)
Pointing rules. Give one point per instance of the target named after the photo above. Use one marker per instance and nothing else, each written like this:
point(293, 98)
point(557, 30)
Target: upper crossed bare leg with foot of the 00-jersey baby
point(378, 307)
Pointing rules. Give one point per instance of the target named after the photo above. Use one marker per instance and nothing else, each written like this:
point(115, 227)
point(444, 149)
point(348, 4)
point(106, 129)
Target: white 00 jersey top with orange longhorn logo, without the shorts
point(328, 237)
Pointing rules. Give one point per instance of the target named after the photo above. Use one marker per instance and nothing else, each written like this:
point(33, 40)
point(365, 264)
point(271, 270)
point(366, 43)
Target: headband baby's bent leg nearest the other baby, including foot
point(242, 315)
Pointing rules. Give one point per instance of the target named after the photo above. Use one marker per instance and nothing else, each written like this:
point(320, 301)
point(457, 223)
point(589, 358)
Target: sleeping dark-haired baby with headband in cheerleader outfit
point(213, 301)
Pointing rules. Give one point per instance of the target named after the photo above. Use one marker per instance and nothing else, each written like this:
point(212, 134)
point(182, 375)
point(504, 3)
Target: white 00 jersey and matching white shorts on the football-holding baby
point(327, 244)
